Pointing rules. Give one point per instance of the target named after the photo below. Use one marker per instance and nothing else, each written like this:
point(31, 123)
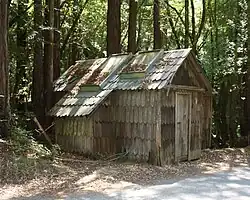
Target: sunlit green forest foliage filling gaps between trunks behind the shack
point(221, 46)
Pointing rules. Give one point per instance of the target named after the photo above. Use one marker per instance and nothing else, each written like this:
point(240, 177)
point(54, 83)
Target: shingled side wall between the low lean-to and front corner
point(127, 122)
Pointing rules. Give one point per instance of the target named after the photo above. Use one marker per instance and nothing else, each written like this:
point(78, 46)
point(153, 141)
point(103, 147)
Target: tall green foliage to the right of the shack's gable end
point(224, 58)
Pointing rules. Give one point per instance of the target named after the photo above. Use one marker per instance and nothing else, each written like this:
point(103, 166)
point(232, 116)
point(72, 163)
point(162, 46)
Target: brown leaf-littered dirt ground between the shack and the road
point(71, 173)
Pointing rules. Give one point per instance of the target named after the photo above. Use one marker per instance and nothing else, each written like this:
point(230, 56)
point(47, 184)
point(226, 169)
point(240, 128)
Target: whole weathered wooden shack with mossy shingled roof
point(153, 106)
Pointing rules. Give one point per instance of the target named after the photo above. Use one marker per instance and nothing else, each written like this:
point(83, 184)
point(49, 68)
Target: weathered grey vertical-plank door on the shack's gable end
point(182, 123)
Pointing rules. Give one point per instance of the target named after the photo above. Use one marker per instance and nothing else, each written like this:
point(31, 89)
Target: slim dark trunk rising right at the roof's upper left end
point(56, 61)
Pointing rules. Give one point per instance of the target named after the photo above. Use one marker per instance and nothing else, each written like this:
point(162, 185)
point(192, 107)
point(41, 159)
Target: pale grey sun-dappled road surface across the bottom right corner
point(228, 185)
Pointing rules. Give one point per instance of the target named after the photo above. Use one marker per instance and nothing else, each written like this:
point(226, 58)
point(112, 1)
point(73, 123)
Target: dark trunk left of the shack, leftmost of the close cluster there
point(38, 70)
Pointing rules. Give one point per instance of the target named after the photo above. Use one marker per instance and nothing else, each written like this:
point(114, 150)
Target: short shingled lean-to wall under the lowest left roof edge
point(74, 134)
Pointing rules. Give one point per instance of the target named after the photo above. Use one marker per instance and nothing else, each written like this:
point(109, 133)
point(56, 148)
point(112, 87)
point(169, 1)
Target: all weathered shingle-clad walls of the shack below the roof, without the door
point(128, 122)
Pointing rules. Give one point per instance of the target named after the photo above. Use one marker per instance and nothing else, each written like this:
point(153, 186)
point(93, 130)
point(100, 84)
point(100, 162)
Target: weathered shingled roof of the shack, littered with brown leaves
point(144, 70)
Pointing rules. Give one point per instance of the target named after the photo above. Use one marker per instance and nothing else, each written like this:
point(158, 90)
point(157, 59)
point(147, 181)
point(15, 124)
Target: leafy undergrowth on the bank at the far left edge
point(23, 158)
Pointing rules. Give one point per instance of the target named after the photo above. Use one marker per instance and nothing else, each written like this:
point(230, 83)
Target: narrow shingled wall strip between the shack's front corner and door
point(168, 126)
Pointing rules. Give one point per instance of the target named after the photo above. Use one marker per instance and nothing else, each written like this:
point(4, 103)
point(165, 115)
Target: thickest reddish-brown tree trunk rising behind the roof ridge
point(114, 27)
